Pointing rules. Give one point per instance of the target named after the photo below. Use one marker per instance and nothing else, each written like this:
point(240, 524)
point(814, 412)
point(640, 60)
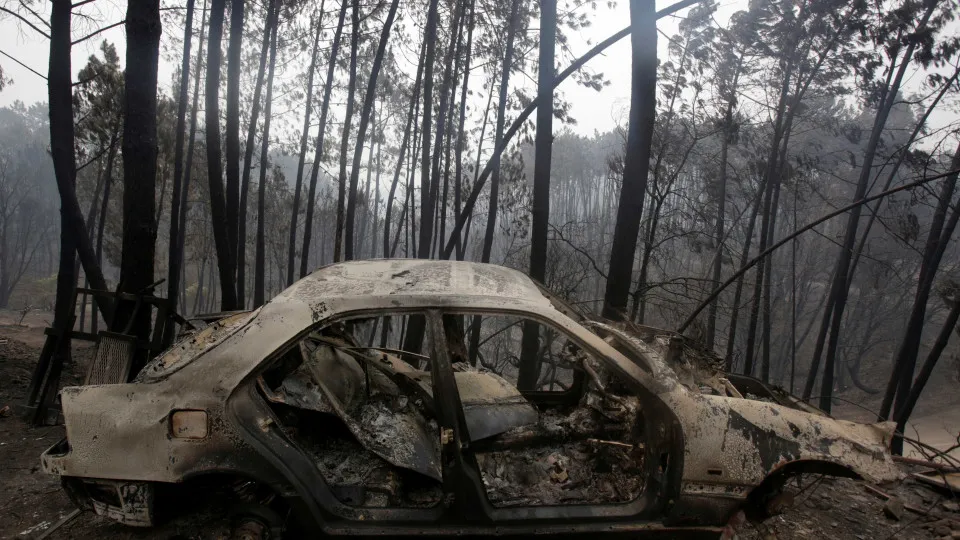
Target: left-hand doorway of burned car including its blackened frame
point(396, 381)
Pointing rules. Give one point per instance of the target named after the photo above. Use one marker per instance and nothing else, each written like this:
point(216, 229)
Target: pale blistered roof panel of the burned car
point(421, 279)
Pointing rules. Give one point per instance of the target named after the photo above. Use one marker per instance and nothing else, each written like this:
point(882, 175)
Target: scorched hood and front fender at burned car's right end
point(738, 429)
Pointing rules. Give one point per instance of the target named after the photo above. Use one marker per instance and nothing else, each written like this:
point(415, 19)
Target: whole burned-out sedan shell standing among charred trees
point(385, 398)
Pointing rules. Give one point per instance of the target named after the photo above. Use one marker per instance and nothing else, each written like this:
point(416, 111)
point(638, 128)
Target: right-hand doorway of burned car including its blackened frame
point(587, 455)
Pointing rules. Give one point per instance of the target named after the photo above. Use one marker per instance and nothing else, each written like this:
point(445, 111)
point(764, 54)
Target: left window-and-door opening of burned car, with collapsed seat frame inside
point(376, 443)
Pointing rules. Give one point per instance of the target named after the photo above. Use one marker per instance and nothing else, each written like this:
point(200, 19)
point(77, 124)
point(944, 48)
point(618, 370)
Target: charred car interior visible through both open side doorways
point(547, 424)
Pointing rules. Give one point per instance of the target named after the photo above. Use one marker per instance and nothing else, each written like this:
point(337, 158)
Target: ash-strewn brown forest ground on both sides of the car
point(31, 502)
